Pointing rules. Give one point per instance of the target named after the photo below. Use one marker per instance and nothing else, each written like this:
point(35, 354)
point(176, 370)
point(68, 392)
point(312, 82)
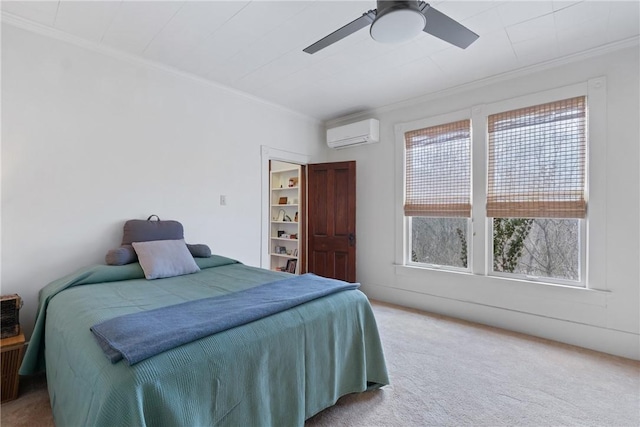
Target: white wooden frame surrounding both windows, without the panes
point(592, 228)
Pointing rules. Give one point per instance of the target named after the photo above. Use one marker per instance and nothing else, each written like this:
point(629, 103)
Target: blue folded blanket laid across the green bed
point(138, 336)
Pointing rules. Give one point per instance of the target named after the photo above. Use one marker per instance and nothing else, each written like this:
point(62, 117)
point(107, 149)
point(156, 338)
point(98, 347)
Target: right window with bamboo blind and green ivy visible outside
point(536, 189)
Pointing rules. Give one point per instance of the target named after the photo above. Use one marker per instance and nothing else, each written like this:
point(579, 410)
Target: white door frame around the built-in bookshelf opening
point(266, 154)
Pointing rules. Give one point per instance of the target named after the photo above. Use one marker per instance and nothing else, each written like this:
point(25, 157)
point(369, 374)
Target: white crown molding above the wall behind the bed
point(44, 30)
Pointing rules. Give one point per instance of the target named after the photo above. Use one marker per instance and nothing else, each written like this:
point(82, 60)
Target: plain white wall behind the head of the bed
point(90, 140)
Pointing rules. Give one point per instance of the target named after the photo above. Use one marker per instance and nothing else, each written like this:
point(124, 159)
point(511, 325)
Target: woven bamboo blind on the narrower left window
point(438, 171)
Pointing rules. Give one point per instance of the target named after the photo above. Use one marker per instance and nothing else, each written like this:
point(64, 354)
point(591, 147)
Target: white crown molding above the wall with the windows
point(498, 78)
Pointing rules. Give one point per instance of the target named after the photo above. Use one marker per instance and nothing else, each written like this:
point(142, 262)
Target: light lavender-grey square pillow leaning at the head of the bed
point(165, 258)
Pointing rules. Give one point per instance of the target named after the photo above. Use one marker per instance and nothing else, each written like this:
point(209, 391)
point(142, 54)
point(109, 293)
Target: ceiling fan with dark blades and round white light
point(397, 21)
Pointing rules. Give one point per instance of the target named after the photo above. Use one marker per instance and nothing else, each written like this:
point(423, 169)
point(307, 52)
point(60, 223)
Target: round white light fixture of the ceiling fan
point(397, 25)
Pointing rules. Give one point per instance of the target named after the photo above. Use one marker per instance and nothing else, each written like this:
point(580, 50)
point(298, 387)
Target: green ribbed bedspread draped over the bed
point(276, 371)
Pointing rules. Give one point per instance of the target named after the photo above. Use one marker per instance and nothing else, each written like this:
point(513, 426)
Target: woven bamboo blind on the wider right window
point(537, 161)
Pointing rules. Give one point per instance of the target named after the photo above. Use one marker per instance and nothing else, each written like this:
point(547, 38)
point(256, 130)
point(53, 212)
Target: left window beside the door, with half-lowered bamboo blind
point(438, 194)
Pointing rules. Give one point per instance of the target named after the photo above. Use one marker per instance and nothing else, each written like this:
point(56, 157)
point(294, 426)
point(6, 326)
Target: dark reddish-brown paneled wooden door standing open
point(331, 202)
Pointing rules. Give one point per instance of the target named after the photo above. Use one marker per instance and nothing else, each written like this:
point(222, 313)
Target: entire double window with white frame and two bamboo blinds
point(501, 189)
